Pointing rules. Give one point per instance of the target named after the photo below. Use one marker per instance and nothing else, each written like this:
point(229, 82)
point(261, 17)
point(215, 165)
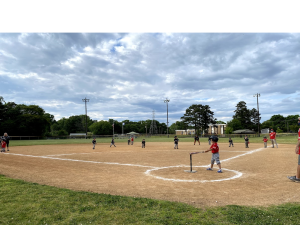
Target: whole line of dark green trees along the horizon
point(32, 120)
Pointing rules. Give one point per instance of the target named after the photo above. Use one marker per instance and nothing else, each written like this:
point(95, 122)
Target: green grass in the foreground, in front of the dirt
point(29, 203)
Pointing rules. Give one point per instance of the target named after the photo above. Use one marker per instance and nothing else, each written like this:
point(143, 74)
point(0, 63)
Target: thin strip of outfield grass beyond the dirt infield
point(280, 139)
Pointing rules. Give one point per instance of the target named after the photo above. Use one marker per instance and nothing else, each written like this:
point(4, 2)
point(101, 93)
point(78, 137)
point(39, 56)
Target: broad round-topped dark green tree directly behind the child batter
point(199, 116)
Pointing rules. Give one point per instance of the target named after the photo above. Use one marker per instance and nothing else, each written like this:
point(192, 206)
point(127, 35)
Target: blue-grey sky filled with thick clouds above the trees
point(129, 75)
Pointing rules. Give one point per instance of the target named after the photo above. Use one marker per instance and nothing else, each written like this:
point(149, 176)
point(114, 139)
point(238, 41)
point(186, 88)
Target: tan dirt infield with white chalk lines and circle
point(254, 176)
